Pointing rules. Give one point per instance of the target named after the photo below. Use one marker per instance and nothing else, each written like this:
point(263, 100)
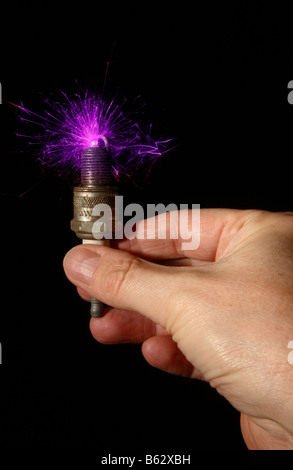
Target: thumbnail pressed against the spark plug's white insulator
point(81, 264)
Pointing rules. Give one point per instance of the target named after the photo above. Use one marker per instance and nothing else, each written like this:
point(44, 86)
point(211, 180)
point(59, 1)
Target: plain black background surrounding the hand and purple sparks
point(213, 77)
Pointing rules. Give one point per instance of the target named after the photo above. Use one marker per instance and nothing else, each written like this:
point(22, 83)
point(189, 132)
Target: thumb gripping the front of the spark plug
point(127, 282)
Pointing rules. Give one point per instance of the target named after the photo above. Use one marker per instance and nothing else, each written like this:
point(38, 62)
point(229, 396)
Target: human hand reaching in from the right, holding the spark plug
point(222, 313)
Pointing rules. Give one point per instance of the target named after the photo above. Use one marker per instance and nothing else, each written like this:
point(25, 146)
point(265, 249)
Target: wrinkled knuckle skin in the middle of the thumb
point(119, 276)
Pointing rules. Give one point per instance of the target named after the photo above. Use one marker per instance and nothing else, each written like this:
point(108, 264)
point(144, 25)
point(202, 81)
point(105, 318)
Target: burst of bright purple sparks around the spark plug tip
point(70, 125)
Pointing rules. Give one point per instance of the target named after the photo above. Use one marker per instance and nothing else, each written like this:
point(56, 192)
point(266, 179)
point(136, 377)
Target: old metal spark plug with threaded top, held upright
point(97, 187)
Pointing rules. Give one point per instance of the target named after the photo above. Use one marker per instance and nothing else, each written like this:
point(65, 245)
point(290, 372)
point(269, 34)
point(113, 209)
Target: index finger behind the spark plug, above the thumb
point(149, 245)
